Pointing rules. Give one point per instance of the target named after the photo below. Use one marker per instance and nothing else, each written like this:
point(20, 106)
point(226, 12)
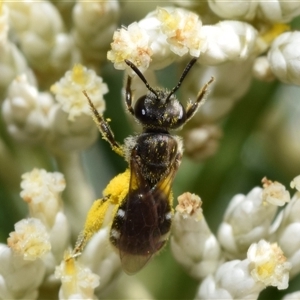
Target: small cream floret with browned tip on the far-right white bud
point(274, 193)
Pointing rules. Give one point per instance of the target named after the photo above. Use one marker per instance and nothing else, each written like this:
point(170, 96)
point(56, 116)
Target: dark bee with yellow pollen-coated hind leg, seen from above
point(142, 195)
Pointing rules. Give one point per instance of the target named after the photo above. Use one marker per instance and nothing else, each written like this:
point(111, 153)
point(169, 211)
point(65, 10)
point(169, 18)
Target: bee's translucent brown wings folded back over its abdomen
point(152, 219)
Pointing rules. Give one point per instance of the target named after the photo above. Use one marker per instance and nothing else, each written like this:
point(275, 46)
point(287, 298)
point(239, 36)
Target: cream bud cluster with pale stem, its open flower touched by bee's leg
point(64, 126)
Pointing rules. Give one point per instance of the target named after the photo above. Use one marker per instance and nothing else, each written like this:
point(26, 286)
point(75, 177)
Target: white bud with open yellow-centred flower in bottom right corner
point(245, 279)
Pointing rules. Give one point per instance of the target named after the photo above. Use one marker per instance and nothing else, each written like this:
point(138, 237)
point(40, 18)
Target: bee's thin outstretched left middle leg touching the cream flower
point(104, 128)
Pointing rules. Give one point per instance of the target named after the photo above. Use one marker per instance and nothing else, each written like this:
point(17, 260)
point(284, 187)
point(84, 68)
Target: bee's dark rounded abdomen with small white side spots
point(141, 226)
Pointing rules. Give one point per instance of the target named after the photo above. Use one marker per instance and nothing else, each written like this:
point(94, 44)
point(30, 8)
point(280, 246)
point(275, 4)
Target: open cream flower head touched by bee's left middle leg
point(68, 91)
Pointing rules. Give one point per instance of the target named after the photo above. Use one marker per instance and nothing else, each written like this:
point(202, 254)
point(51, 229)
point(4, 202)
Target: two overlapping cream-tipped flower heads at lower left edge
point(38, 242)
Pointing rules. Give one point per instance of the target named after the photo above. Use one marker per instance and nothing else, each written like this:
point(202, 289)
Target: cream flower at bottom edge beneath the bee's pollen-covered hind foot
point(78, 282)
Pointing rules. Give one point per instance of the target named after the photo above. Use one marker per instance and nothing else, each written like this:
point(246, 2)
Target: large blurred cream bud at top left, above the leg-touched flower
point(38, 28)
